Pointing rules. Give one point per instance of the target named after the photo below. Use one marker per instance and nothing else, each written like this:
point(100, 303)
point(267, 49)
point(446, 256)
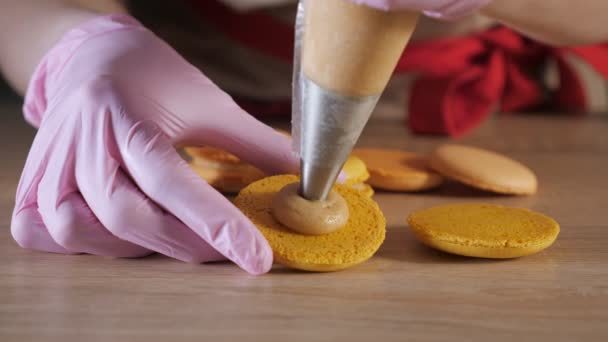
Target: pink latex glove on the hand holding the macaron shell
point(102, 177)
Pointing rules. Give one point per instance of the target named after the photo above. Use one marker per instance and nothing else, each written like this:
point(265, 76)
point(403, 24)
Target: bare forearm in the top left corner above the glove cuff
point(29, 28)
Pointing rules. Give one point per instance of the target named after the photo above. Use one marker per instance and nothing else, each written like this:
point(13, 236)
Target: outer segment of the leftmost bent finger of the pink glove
point(29, 231)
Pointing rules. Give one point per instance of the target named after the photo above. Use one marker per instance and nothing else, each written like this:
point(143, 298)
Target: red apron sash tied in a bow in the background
point(462, 80)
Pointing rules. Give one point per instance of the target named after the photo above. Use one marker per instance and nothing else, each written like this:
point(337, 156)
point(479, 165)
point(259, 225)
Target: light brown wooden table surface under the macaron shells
point(406, 292)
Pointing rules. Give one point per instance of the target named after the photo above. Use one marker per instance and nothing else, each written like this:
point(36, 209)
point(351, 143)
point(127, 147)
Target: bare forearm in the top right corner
point(556, 22)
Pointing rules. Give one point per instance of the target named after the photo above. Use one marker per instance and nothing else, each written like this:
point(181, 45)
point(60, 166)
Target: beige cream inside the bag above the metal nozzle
point(353, 49)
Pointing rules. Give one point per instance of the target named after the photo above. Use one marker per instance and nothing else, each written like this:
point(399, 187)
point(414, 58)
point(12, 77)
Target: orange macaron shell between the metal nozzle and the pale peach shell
point(397, 170)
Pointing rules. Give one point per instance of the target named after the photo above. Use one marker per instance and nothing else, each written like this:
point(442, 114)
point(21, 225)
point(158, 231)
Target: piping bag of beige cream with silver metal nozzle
point(344, 56)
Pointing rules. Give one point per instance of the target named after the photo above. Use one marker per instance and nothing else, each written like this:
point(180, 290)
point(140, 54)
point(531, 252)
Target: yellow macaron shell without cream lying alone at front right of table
point(484, 230)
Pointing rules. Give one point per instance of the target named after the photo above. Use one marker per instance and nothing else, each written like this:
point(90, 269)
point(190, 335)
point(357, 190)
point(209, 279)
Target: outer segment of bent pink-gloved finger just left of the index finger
point(128, 214)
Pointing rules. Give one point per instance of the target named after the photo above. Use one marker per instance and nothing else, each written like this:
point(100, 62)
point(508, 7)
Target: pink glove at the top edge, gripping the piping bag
point(444, 9)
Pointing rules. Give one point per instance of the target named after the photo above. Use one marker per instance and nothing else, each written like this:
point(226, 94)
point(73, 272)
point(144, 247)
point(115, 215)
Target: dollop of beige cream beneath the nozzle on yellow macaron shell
point(309, 217)
